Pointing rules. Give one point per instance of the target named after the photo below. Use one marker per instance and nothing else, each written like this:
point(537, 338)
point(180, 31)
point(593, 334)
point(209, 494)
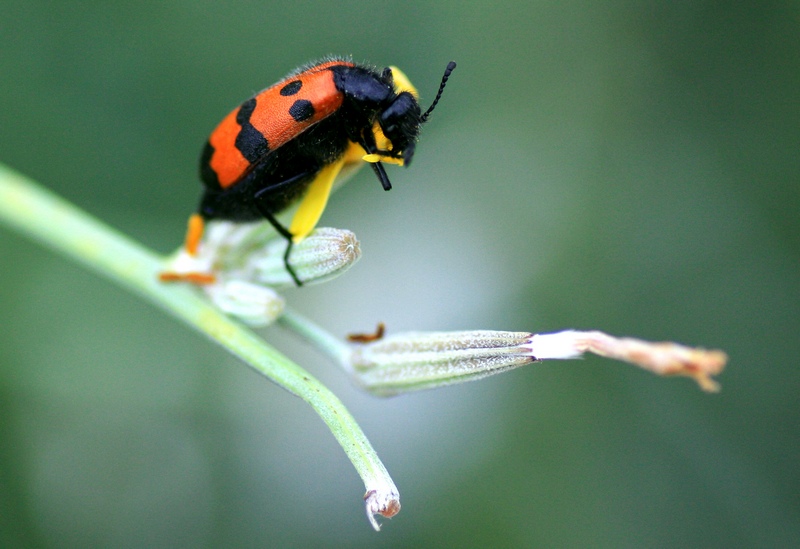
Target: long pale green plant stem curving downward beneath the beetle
point(47, 218)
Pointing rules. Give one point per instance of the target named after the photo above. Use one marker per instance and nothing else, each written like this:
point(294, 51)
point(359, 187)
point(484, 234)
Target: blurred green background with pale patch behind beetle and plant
point(625, 166)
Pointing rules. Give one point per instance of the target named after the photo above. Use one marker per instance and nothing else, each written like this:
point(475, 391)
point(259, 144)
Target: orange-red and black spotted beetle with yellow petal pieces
point(290, 142)
